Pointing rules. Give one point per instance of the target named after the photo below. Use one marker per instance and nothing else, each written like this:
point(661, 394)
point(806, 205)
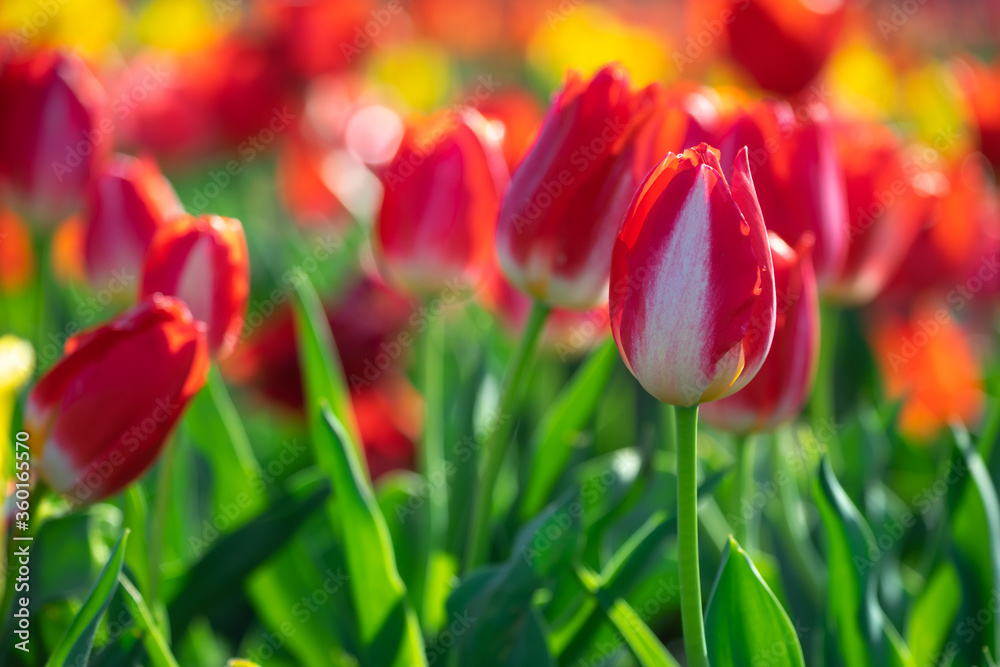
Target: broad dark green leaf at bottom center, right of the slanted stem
point(492, 617)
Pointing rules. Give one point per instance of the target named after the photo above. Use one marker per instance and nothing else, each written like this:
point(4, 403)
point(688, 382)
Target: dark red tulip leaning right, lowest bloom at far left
point(100, 416)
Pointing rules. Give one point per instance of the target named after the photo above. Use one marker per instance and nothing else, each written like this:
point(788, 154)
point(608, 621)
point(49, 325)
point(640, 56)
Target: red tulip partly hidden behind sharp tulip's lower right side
point(781, 387)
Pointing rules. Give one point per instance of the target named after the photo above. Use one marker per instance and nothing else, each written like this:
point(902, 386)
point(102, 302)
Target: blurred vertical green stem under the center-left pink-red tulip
point(433, 441)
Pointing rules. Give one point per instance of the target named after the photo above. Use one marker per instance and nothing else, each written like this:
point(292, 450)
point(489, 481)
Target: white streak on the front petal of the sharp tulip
point(677, 306)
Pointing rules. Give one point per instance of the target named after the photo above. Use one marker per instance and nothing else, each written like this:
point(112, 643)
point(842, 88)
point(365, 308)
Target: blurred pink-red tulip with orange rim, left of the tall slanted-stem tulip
point(442, 191)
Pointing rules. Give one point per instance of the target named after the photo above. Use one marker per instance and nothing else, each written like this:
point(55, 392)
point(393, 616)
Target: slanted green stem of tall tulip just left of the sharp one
point(499, 440)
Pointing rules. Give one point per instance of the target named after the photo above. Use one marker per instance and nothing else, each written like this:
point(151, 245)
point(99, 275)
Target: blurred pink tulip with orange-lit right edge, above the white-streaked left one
point(128, 202)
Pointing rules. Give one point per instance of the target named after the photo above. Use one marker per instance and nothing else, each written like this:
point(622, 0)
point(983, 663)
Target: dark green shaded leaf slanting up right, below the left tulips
point(234, 556)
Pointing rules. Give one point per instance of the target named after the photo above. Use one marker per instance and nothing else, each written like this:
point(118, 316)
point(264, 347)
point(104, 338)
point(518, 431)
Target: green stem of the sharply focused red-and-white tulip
point(692, 620)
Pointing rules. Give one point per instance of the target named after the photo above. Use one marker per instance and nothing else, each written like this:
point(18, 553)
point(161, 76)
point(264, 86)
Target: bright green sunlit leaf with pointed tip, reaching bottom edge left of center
point(389, 631)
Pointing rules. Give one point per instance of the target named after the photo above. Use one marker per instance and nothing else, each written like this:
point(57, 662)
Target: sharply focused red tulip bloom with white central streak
point(692, 296)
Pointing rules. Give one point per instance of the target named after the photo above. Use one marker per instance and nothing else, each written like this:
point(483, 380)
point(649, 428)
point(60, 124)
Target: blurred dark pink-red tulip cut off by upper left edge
point(54, 132)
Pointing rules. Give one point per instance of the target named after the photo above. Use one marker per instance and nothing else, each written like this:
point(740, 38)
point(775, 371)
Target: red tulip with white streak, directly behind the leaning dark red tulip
point(203, 261)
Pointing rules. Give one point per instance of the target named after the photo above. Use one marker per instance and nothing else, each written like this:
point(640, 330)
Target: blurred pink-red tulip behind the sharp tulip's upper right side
point(796, 175)
